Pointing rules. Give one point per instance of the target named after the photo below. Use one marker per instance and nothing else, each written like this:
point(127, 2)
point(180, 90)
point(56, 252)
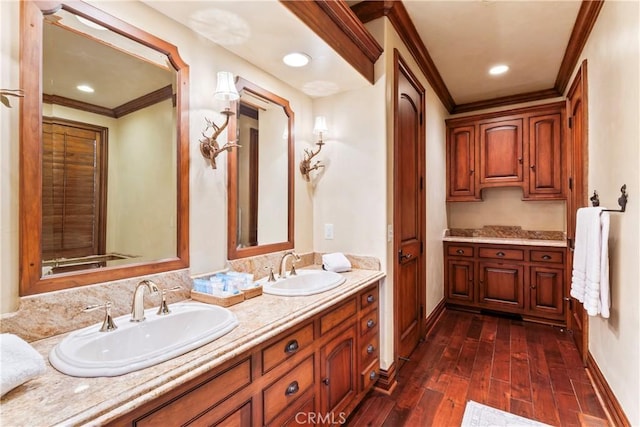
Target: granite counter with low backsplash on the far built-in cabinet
point(506, 235)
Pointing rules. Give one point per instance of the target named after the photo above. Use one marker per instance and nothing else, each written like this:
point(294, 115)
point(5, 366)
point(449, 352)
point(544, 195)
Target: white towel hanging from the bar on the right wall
point(590, 275)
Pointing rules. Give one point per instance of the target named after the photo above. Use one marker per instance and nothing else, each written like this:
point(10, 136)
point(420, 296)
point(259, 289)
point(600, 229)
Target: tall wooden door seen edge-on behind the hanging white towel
point(578, 143)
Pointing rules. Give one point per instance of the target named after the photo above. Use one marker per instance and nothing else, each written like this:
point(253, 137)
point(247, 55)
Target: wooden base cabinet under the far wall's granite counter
point(524, 280)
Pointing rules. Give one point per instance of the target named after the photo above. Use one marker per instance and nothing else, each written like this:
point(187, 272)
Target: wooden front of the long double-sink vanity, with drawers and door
point(315, 373)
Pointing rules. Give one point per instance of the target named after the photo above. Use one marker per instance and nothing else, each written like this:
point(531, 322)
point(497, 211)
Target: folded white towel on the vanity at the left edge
point(20, 362)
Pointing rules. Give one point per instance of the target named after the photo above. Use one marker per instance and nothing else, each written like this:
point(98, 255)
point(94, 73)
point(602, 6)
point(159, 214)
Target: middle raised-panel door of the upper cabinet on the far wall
point(501, 152)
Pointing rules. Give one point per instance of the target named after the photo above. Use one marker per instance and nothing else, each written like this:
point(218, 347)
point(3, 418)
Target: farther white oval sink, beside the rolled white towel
point(306, 282)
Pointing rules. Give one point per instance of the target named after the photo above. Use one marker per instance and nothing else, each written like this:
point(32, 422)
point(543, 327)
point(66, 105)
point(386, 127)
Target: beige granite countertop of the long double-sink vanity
point(58, 399)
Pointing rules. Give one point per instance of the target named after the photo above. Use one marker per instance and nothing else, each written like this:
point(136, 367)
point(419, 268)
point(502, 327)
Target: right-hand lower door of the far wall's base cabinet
point(545, 293)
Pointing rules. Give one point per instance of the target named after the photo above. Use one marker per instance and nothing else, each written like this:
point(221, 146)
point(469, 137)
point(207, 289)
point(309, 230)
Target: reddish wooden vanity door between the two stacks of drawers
point(338, 372)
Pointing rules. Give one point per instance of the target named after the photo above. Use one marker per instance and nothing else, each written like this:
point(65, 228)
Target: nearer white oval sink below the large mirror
point(88, 352)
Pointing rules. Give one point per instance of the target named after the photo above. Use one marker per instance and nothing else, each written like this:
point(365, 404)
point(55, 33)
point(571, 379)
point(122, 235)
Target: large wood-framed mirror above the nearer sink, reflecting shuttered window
point(104, 150)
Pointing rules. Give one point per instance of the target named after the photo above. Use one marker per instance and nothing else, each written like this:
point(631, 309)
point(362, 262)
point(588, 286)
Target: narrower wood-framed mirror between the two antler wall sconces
point(260, 177)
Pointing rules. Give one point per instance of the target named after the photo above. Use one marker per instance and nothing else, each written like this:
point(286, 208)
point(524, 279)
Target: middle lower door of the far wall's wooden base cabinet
point(501, 286)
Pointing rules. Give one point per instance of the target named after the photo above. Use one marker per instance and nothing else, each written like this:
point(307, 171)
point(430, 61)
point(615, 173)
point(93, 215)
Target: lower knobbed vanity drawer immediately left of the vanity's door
point(287, 389)
